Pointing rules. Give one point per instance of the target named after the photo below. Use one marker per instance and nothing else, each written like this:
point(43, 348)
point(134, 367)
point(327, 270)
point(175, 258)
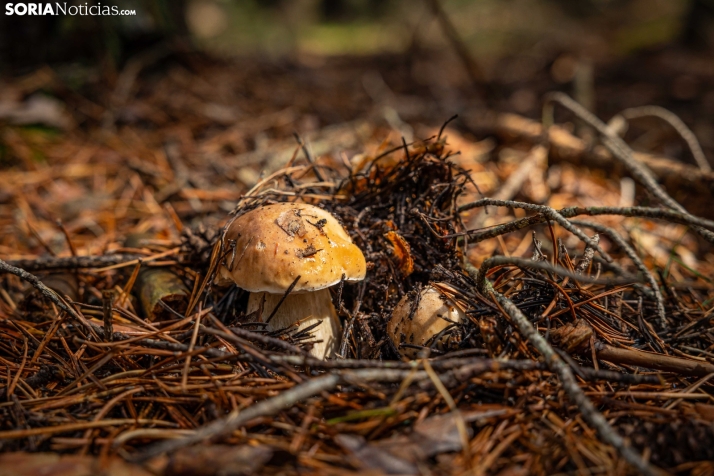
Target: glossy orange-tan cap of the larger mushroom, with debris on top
point(275, 244)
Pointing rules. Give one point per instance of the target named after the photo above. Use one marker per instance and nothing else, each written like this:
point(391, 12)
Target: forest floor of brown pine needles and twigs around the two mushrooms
point(107, 180)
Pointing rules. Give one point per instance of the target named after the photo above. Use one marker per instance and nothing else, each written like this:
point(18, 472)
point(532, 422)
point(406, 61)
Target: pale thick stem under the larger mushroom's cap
point(308, 308)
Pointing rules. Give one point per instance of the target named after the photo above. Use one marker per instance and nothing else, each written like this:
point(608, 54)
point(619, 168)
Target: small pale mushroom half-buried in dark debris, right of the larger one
point(425, 325)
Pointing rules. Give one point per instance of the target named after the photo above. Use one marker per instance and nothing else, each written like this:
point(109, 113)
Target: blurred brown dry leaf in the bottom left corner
point(44, 464)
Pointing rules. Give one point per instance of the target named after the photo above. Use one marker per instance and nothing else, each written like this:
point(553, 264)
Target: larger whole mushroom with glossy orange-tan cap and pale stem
point(276, 244)
